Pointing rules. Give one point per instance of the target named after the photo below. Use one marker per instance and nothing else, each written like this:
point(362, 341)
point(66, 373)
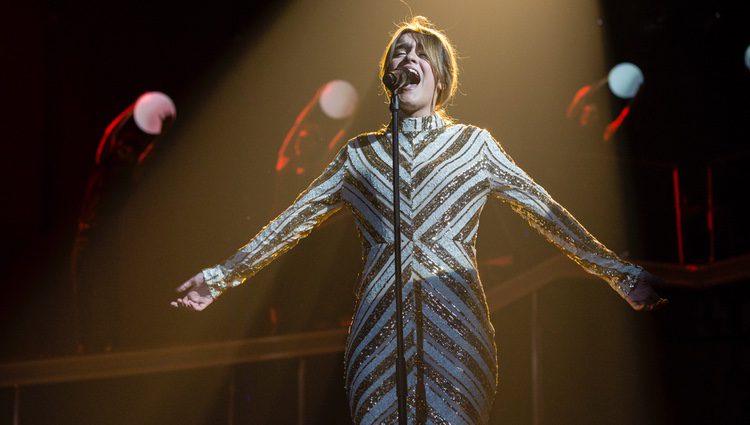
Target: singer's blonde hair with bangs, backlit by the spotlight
point(440, 53)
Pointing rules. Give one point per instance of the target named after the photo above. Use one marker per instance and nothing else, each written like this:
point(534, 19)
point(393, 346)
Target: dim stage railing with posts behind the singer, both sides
point(123, 364)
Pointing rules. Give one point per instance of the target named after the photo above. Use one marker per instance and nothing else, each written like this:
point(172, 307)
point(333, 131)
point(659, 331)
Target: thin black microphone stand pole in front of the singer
point(398, 285)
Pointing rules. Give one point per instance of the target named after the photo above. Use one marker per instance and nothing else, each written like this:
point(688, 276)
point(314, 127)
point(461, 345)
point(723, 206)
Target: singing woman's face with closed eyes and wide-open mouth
point(416, 100)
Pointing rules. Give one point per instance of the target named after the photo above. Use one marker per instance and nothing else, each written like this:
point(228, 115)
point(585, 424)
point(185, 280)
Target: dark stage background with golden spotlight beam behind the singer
point(70, 68)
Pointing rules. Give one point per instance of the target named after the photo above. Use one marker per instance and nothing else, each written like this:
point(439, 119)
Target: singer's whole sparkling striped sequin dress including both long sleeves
point(447, 174)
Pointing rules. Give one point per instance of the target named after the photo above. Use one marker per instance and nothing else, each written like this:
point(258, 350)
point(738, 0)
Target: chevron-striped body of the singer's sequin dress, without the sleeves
point(450, 351)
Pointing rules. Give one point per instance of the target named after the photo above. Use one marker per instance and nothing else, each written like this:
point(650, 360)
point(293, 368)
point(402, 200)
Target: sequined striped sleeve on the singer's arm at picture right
point(511, 184)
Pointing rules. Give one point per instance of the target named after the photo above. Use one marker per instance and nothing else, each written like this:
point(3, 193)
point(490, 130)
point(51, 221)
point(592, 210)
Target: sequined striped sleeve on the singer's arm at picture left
point(313, 206)
